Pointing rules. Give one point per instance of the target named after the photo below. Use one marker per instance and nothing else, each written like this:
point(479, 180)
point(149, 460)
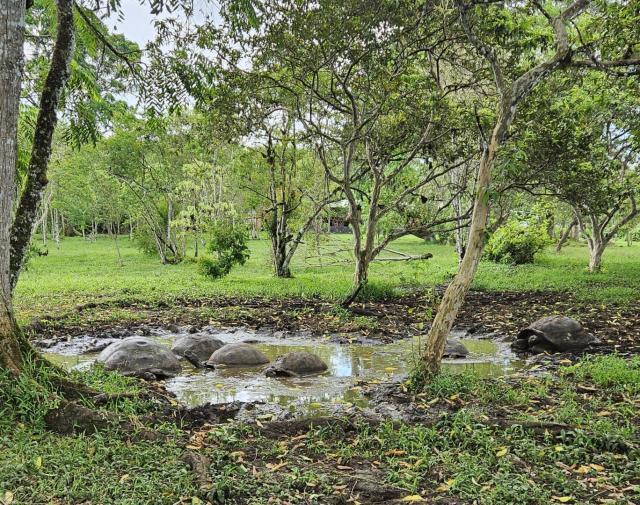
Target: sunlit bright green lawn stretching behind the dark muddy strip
point(82, 271)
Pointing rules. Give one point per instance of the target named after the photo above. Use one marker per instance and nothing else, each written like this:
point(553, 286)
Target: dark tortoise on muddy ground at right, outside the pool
point(554, 334)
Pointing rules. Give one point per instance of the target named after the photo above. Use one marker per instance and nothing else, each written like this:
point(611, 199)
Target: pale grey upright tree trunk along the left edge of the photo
point(11, 63)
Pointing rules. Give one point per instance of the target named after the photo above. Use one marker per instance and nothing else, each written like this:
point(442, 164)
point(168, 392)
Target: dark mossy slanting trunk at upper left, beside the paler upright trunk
point(55, 82)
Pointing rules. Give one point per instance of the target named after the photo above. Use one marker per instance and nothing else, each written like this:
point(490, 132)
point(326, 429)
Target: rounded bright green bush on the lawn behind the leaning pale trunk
point(517, 242)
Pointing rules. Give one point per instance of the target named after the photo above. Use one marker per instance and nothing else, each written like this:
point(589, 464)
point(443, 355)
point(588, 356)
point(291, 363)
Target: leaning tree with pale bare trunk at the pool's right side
point(520, 53)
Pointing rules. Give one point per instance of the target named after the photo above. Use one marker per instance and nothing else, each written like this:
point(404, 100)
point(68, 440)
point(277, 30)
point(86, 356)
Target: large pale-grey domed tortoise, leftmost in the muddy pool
point(141, 357)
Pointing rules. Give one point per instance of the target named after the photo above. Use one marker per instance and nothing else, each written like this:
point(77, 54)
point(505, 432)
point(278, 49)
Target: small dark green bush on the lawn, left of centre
point(229, 244)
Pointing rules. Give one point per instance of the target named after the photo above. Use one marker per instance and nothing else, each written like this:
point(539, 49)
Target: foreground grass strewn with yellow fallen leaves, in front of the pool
point(460, 457)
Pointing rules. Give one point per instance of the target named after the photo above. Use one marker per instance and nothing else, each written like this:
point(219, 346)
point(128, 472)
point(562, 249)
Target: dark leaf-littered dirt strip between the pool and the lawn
point(483, 312)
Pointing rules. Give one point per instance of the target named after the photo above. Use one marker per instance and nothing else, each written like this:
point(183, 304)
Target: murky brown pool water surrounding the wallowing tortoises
point(348, 364)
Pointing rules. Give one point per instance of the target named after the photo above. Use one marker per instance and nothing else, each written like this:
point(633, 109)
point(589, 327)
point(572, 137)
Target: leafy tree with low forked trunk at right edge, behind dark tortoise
point(586, 153)
